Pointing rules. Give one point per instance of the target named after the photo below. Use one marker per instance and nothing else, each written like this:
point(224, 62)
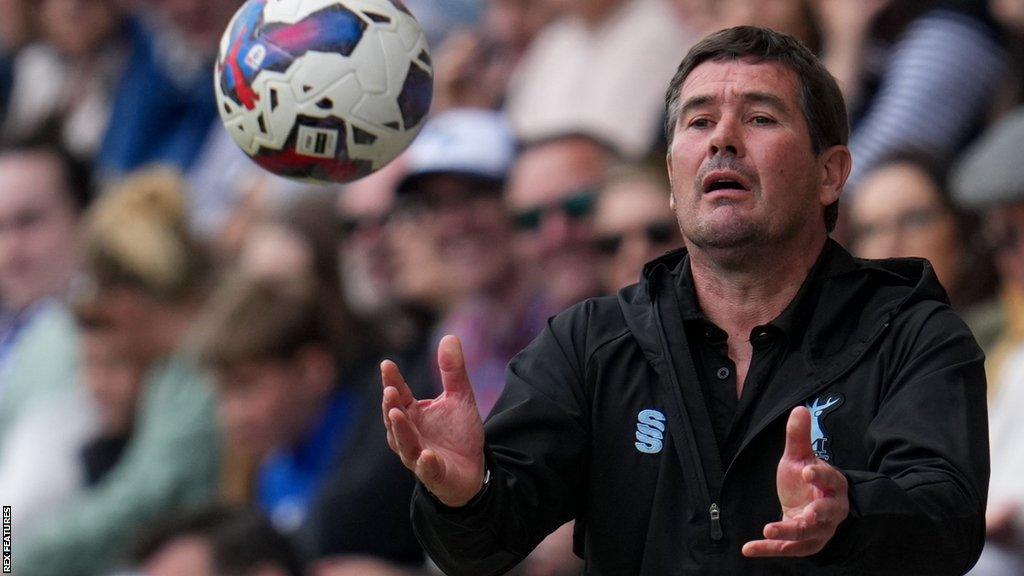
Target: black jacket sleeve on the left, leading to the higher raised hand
point(537, 451)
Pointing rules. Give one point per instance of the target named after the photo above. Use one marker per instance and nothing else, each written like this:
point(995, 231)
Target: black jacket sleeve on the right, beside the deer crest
point(920, 508)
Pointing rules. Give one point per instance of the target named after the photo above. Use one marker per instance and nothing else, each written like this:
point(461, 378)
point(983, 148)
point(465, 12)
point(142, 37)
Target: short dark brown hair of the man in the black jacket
point(821, 99)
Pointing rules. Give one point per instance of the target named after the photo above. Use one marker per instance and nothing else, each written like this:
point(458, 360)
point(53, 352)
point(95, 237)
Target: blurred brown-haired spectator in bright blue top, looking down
point(297, 393)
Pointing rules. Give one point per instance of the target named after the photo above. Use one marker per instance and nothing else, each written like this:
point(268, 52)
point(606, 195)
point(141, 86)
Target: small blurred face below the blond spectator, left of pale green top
point(112, 379)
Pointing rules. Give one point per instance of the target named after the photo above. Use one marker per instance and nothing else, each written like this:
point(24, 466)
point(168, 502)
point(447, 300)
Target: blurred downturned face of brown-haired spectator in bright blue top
point(269, 404)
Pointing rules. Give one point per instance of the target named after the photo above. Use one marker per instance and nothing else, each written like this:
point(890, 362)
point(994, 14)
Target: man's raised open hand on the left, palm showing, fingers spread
point(441, 440)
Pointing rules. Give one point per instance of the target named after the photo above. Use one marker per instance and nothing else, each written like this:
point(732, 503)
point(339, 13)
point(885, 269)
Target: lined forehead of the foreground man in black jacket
point(738, 77)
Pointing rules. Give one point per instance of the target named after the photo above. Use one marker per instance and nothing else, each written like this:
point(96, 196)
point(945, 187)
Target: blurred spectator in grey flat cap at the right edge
point(991, 179)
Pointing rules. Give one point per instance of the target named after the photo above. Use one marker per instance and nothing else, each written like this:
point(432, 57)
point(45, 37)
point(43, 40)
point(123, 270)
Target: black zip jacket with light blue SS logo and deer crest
point(578, 434)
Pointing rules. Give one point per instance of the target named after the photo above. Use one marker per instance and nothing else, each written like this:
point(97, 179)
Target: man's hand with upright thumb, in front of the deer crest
point(813, 493)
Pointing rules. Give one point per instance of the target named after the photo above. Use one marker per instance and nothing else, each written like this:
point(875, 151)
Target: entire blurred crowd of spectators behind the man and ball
point(190, 346)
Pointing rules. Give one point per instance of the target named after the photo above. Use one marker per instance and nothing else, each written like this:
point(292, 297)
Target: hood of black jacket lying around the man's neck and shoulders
point(834, 339)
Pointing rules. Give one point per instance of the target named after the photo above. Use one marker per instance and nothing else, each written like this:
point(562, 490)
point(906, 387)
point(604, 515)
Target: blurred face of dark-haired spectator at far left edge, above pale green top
point(38, 230)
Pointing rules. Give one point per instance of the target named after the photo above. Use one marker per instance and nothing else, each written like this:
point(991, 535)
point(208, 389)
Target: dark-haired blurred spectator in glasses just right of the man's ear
point(903, 210)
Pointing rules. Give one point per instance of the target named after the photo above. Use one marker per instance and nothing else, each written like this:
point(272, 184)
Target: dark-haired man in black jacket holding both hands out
point(671, 423)
